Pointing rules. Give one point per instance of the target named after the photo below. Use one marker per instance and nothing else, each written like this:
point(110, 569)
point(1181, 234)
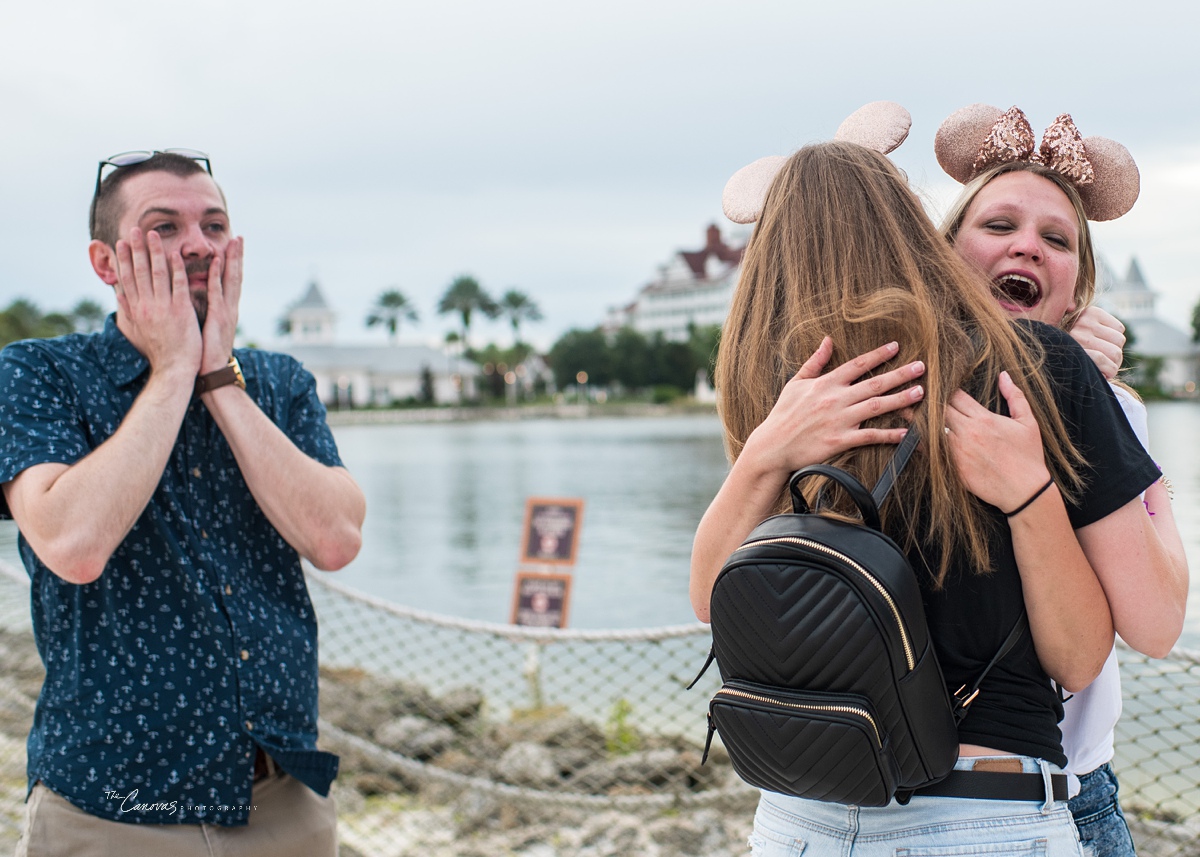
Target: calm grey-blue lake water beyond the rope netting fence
point(447, 502)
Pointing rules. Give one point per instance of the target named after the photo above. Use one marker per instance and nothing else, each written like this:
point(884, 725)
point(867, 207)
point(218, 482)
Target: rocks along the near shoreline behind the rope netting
point(537, 772)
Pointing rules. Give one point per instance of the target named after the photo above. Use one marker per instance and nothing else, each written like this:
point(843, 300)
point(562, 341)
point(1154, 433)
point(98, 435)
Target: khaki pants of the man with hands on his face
point(289, 820)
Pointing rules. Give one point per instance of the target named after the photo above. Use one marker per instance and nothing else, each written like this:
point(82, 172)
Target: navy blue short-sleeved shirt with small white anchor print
point(199, 642)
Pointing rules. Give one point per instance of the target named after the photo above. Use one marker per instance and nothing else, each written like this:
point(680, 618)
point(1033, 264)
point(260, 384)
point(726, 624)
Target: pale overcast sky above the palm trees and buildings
point(562, 149)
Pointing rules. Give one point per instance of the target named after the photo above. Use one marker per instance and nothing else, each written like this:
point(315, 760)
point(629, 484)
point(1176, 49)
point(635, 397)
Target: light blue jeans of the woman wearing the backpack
point(926, 828)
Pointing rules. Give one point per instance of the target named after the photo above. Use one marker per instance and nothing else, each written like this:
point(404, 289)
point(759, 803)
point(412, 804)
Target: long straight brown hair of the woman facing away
point(844, 249)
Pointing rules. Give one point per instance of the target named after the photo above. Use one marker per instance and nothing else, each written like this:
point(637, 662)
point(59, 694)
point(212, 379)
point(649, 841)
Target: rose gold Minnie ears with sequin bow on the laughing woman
point(981, 136)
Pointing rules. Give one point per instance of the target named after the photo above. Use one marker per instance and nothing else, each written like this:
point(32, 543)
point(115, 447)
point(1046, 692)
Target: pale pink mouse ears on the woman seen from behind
point(881, 125)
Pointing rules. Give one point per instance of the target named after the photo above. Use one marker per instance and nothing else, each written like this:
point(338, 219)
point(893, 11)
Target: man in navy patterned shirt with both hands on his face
point(166, 487)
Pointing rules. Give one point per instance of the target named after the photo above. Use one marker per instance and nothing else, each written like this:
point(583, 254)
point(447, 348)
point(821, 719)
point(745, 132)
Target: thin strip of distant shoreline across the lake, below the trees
point(525, 412)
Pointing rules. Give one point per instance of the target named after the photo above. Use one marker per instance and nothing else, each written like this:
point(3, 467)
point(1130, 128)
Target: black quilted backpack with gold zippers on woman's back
point(832, 690)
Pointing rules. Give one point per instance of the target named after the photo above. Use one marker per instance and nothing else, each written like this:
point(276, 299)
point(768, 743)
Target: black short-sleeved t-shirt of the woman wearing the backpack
point(1018, 709)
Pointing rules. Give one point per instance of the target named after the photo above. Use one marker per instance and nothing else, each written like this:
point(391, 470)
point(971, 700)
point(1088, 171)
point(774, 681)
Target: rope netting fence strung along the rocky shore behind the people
point(452, 730)
